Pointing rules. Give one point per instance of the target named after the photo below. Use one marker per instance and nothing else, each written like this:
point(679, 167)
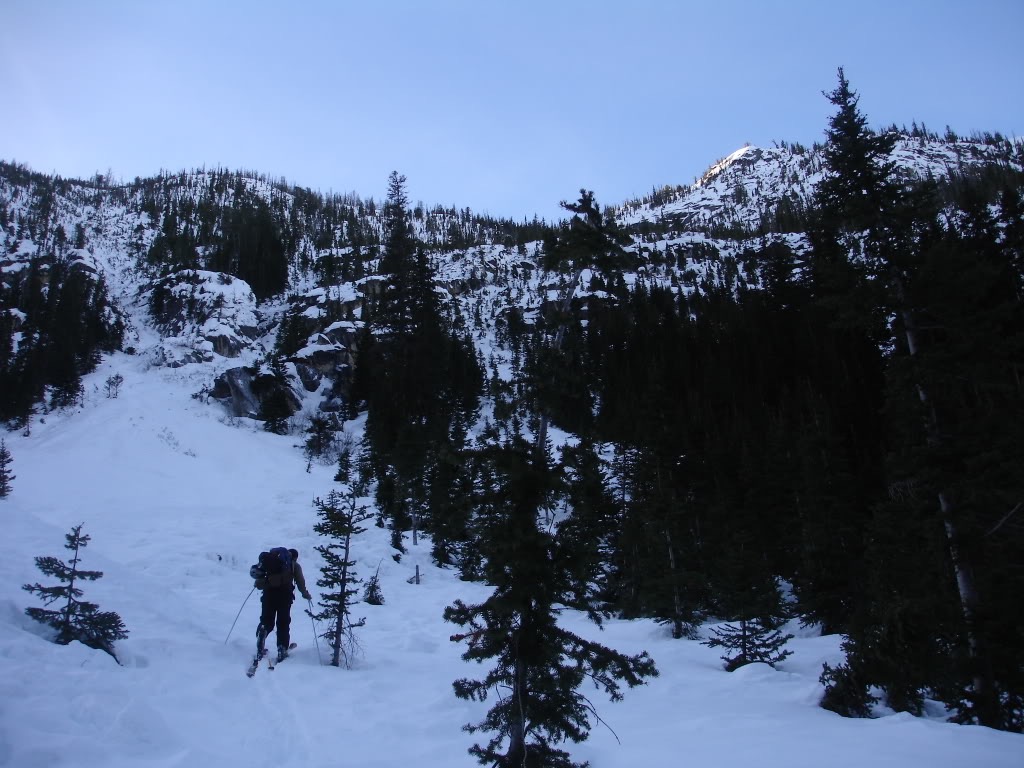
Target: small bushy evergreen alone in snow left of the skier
point(76, 620)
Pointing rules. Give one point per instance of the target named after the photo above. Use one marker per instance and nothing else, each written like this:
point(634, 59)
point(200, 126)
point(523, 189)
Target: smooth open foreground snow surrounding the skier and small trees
point(179, 500)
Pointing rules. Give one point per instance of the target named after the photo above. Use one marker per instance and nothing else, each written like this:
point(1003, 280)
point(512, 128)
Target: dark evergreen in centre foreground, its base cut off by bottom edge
point(539, 666)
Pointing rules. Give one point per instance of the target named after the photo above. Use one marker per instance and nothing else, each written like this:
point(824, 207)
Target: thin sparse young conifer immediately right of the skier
point(340, 518)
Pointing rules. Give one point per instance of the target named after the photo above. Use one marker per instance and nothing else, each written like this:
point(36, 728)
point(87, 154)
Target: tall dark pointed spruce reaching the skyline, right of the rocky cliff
point(419, 380)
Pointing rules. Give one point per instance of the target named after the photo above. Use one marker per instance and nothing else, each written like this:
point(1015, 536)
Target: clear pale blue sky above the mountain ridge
point(506, 108)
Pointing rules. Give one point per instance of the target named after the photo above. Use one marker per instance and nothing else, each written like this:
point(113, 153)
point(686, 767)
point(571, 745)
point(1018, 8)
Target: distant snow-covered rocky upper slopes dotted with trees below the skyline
point(689, 238)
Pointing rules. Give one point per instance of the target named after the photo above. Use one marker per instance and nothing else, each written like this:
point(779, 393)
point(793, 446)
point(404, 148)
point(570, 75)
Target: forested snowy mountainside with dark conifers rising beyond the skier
point(793, 389)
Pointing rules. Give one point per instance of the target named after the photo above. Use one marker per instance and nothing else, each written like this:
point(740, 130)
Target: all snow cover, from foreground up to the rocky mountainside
point(180, 498)
